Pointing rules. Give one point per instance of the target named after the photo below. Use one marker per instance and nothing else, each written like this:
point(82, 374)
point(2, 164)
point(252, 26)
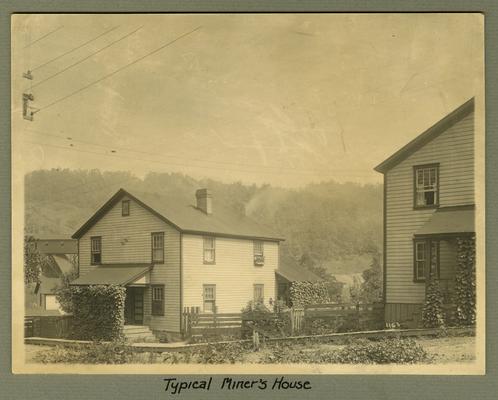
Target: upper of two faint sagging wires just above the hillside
point(113, 148)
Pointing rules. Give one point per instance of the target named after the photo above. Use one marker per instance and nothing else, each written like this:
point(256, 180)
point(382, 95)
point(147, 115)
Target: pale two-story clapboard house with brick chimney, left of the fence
point(171, 254)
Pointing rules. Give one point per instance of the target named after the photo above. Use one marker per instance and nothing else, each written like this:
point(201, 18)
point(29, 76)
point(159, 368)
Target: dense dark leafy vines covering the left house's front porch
point(98, 311)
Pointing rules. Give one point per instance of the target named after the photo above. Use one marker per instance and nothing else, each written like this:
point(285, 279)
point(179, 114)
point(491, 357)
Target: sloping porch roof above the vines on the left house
point(113, 274)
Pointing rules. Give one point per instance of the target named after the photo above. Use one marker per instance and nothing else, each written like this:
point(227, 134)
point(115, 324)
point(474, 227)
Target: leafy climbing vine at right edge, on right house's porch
point(465, 282)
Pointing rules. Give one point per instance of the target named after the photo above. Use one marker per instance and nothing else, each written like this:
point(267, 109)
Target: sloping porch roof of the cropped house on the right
point(449, 220)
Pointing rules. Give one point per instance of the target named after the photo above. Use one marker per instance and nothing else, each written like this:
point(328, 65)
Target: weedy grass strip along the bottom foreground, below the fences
point(431, 350)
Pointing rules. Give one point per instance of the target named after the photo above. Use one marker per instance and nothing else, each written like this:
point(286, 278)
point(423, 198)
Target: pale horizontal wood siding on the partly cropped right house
point(454, 151)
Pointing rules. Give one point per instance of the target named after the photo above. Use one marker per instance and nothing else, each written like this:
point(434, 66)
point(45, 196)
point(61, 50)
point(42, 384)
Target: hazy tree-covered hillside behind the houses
point(330, 226)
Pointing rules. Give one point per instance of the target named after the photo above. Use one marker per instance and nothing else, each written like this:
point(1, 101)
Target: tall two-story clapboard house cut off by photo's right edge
point(428, 203)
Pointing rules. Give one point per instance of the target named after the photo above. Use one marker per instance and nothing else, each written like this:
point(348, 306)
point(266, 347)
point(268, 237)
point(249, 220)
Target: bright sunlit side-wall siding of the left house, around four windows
point(234, 273)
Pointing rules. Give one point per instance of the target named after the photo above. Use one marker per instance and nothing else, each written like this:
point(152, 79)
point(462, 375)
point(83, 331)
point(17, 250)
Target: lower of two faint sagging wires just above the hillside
point(281, 172)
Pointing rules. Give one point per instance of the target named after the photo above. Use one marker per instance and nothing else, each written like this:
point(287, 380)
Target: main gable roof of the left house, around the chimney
point(187, 218)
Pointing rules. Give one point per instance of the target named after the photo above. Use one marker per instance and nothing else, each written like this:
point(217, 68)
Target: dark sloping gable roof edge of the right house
point(424, 138)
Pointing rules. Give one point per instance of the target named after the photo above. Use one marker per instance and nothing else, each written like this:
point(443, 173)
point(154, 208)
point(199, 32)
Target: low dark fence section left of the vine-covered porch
point(53, 326)
